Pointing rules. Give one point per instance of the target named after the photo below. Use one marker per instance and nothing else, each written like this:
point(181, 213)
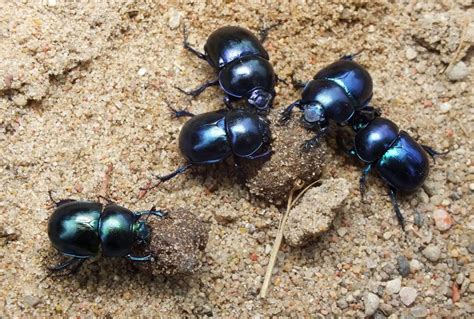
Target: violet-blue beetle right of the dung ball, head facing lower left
point(339, 92)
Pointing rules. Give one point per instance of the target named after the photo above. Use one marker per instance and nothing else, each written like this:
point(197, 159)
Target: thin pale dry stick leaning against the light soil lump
point(279, 238)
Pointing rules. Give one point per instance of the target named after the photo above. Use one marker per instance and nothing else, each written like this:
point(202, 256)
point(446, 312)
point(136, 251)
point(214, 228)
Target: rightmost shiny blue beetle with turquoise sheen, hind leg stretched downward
point(400, 161)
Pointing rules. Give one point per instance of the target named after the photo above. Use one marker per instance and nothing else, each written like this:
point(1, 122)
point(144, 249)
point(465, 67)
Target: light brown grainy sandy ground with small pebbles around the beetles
point(83, 86)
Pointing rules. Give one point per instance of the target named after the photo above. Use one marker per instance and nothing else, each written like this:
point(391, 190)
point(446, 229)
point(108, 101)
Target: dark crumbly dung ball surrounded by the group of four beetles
point(274, 178)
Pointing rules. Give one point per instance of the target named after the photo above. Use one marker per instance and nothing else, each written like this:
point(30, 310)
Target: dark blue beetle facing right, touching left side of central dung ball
point(212, 137)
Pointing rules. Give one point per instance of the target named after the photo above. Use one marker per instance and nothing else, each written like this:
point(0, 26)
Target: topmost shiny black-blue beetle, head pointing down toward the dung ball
point(244, 70)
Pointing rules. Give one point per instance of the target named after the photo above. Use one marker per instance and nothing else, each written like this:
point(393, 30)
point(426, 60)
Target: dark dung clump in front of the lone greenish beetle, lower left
point(177, 244)
